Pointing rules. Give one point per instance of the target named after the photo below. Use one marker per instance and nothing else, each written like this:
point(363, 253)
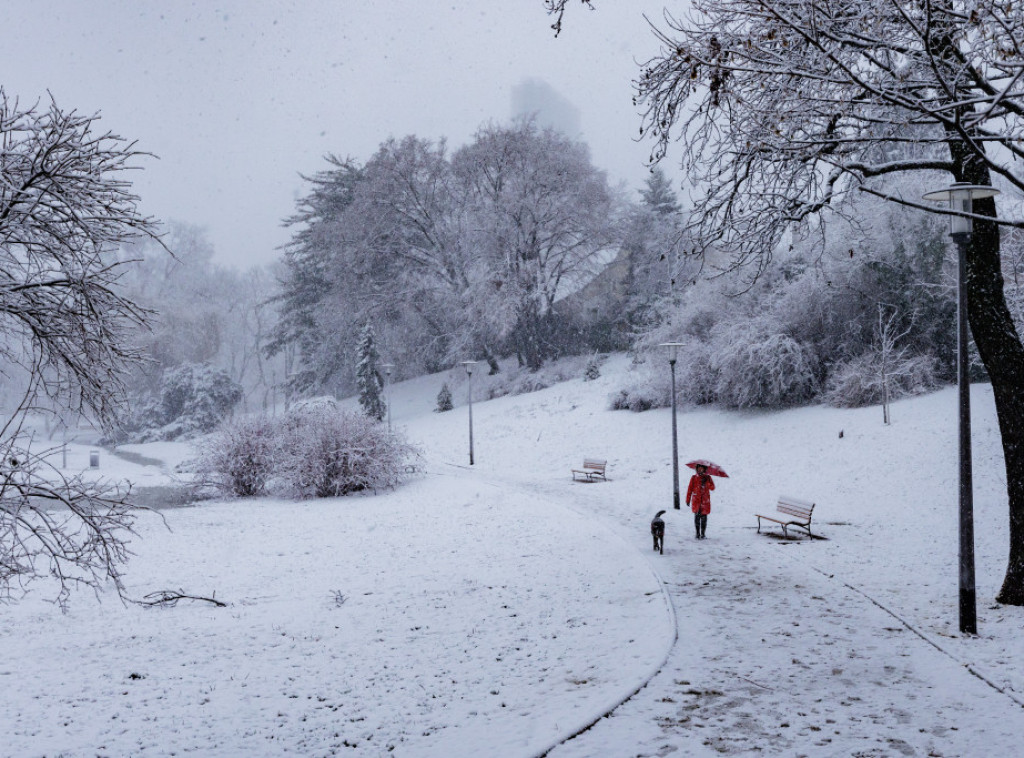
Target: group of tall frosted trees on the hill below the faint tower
point(448, 255)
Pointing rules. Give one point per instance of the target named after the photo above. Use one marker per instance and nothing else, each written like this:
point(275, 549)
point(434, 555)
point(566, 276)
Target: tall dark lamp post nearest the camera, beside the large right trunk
point(961, 197)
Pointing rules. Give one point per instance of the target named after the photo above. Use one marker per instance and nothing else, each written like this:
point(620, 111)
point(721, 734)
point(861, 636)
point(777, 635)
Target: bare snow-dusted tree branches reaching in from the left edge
point(65, 208)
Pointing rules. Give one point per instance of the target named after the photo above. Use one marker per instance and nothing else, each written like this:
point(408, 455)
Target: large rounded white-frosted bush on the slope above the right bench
point(756, 367)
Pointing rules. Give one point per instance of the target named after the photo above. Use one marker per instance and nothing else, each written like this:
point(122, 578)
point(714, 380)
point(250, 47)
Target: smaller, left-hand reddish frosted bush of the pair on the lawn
point(239, 459)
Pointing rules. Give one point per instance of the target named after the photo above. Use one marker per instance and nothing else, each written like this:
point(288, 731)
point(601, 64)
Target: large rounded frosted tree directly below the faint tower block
point(542, 217)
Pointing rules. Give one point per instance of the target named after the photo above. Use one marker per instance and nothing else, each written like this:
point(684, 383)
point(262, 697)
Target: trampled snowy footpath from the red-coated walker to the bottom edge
point(777, 659)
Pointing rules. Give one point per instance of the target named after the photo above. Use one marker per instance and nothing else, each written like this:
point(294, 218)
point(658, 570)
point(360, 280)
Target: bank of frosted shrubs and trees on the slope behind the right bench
point(864, 321)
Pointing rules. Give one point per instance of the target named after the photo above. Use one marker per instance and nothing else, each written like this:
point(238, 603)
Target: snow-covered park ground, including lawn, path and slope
point(498, 610)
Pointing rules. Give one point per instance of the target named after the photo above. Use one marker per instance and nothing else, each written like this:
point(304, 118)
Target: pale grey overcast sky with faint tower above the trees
point(238, 99)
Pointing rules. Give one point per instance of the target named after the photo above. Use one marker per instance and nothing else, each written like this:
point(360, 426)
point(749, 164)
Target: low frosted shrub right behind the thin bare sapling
point(860, 383)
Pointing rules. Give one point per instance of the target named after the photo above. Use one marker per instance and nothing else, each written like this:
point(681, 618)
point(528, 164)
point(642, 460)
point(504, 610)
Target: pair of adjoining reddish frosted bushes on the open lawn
point(316, 451)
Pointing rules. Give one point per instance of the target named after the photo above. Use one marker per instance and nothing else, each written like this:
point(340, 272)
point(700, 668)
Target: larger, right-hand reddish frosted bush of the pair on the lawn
point(328, 453)
